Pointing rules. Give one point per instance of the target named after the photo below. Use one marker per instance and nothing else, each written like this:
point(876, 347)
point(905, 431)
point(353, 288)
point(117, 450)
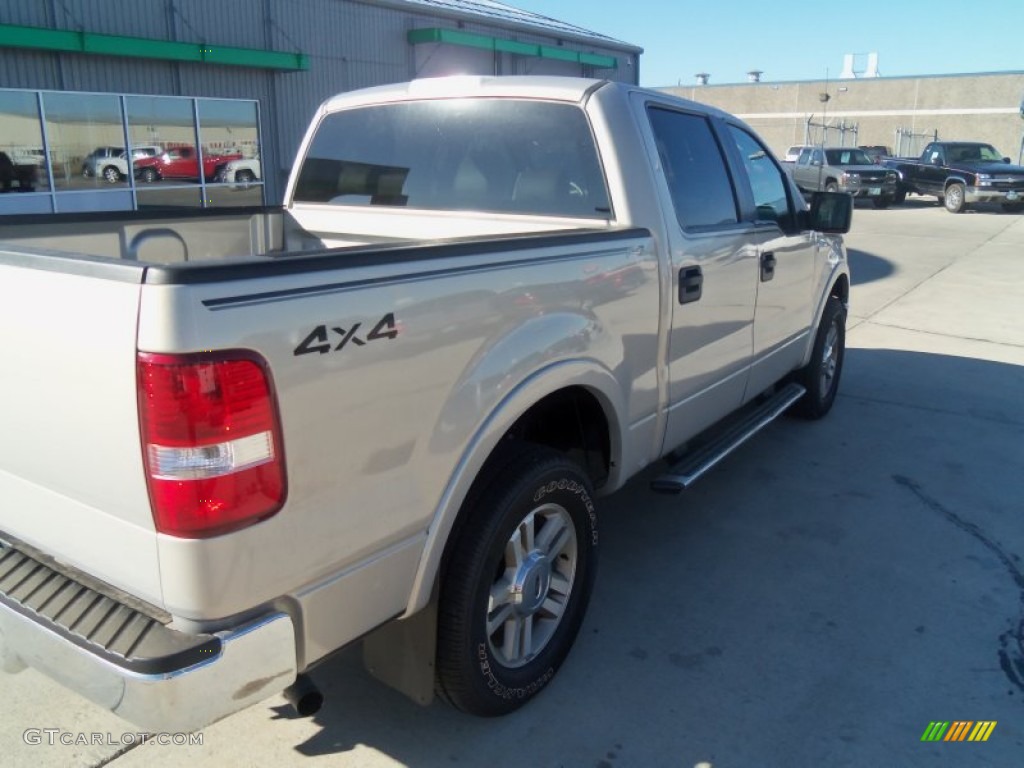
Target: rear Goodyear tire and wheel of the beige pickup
point(516, 582)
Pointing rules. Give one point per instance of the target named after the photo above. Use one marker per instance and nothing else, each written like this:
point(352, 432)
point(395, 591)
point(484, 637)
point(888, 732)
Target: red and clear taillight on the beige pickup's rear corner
point(211, 442)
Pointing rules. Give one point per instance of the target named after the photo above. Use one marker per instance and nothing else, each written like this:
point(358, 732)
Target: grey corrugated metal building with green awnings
point(82, 80)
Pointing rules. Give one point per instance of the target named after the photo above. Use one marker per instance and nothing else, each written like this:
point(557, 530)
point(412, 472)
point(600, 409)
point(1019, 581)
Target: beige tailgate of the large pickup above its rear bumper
point(72, 483)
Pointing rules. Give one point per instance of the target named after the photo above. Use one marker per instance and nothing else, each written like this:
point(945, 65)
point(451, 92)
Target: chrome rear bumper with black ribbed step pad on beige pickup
point(153, 676)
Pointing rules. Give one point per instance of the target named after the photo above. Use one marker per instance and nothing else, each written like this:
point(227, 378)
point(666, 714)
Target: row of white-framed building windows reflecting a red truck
point(69, 152)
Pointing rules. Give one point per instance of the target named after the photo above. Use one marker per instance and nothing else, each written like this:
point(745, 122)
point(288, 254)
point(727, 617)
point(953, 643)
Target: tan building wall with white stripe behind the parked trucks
point(979, 108)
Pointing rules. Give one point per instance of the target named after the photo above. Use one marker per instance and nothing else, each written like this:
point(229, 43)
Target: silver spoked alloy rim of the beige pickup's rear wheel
point(533, 585)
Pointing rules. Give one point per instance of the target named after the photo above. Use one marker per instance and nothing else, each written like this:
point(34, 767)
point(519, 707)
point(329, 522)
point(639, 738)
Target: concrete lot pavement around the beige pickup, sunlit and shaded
point(818, 601)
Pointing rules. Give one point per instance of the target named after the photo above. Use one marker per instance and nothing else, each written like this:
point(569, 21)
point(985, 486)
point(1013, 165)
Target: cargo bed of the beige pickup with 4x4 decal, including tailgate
point(301, 312)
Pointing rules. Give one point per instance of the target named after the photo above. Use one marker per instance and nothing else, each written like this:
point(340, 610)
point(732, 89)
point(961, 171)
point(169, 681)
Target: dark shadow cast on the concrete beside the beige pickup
point(862, 574)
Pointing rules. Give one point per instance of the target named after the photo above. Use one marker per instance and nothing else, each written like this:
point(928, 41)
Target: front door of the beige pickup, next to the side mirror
point(787, 265)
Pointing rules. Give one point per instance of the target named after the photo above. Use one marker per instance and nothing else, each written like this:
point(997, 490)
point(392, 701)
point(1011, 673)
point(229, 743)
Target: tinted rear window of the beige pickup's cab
point(507, 156)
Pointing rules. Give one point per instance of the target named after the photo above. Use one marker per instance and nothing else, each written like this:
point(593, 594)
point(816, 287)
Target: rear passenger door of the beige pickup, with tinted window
point(714, 273)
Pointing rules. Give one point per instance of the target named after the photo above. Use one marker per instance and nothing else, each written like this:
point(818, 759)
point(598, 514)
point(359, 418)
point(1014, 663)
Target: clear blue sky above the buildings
point(791, 40)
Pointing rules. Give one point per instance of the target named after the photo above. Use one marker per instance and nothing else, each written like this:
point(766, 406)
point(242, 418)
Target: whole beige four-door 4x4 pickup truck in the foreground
point(236, 443)
